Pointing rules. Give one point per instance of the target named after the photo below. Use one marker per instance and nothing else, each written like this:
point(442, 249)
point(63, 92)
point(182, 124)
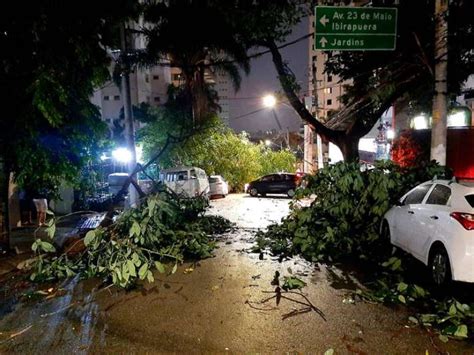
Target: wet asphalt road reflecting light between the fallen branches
point(216, 306)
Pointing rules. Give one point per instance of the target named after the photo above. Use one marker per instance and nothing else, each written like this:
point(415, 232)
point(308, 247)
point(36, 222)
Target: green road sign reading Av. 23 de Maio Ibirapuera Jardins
point(355, 28)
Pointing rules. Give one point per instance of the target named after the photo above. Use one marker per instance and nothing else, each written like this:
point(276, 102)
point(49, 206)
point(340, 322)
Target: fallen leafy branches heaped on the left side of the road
point(162, 229)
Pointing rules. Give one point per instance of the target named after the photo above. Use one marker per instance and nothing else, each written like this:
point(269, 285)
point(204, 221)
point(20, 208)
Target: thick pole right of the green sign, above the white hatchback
point(439, 130)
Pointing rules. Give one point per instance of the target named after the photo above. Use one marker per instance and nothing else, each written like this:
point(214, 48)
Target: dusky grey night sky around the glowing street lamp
point(263, 80)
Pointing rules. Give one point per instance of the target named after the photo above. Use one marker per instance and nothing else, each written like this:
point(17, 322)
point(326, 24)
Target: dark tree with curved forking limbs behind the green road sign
point(378, 79)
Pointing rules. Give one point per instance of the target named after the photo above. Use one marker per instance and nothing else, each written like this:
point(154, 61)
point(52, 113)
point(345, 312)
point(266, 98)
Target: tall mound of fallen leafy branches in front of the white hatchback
point(344, 219)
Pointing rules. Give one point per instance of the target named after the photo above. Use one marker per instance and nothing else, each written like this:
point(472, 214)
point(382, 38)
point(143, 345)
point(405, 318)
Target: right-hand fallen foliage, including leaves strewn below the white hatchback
point(343, 223)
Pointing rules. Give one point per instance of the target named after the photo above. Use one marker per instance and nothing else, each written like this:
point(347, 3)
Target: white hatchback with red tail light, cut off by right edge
point(435, 223)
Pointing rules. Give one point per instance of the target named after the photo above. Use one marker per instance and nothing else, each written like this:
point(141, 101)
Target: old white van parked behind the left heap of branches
point(186, 181)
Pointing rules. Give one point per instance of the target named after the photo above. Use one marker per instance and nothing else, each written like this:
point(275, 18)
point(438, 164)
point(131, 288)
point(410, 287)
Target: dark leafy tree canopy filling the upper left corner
point(52, 58)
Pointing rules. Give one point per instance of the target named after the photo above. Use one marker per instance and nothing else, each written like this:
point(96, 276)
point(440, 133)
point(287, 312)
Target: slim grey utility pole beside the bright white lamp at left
point(128, 115)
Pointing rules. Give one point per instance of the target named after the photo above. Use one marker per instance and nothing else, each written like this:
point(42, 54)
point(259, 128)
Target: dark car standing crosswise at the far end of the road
point(282, 183)
